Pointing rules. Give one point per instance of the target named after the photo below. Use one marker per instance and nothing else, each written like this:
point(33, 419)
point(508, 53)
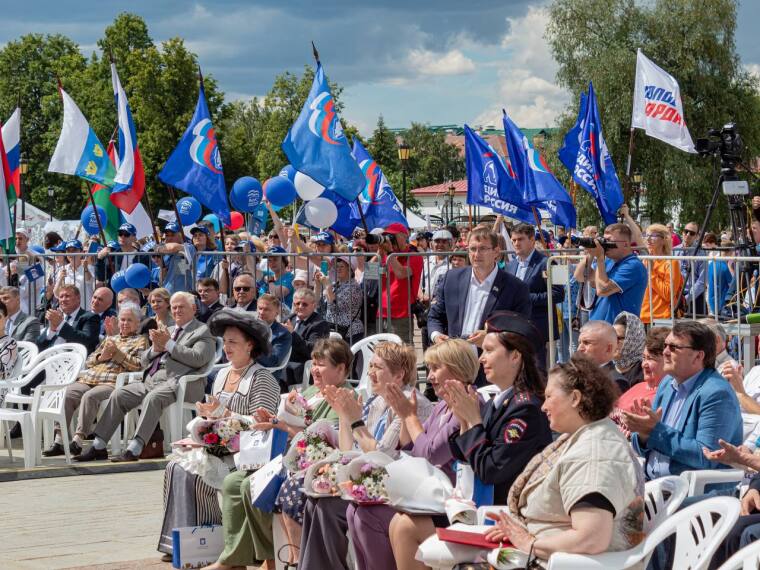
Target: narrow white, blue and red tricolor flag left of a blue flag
point(130, 176)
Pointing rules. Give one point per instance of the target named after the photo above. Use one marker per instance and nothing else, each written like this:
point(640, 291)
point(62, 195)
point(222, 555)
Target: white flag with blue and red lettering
point(657, 106)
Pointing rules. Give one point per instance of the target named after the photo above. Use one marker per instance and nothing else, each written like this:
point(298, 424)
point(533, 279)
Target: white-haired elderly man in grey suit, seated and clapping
point(182, 349)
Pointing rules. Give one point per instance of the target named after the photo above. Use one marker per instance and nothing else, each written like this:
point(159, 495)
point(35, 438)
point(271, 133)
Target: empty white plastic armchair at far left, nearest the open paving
point(47, 403)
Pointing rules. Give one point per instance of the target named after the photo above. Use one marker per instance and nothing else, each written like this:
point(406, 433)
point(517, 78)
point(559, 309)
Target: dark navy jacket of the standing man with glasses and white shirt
point(447, 307)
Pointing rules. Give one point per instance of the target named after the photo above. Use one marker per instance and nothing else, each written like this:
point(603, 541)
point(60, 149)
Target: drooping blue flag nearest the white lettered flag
point(593, 169)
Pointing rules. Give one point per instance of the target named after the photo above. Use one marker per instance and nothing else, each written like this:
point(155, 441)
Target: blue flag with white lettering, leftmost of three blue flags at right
point(489, 182)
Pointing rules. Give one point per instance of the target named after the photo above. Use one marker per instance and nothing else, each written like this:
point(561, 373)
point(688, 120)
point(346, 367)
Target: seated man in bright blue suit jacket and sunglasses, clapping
point(693, 408)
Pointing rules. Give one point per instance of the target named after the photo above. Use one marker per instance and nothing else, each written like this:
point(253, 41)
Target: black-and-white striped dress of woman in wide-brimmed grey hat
point(188, 499)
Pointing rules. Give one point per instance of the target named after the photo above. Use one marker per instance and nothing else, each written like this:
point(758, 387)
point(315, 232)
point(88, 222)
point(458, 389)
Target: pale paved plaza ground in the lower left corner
point(94, 521)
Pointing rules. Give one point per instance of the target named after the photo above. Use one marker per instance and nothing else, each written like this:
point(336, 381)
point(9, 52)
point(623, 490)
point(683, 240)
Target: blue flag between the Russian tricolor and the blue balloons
point(195, 166)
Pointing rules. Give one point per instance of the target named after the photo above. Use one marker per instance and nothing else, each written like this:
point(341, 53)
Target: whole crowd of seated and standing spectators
point(640, 392)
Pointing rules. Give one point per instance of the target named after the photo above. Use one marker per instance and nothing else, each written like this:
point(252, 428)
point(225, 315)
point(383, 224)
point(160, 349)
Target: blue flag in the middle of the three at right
point(539, 186)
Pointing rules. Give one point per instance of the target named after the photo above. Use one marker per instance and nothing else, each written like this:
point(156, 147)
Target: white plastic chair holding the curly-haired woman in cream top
point(699, 530)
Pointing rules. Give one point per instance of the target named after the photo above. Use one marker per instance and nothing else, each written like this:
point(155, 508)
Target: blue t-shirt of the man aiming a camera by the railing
point(631, 276)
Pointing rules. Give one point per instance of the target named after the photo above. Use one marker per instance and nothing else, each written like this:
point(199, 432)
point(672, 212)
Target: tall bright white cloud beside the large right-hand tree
point(526, 85)
